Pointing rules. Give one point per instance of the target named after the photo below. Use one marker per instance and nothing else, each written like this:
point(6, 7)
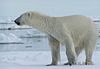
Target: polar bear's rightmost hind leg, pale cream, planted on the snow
point(89, 49)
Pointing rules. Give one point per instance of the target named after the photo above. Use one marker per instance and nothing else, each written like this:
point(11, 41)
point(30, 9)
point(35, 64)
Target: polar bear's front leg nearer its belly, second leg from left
point(70, 52)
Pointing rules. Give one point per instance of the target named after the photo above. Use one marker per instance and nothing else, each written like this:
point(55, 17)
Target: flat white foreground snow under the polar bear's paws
point(39, 59)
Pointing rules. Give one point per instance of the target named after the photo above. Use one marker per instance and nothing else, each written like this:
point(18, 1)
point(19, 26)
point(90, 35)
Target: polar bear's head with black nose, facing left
point(28, 18)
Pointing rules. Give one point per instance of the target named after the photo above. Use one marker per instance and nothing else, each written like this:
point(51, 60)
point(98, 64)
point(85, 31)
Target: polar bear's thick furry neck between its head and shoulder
point(45, 24)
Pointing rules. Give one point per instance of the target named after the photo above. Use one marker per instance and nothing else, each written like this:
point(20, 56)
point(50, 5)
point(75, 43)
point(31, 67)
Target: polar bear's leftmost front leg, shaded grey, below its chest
point(55, 50)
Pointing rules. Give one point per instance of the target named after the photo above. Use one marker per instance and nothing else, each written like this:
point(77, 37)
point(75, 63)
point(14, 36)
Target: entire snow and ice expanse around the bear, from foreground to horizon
point(16, 57)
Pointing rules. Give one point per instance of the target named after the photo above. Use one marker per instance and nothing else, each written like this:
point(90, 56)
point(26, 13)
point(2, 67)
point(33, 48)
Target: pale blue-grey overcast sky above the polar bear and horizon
point(50, 7)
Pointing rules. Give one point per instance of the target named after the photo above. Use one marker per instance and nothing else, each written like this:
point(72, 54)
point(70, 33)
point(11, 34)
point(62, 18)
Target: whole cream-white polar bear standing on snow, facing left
point(76, 32)
